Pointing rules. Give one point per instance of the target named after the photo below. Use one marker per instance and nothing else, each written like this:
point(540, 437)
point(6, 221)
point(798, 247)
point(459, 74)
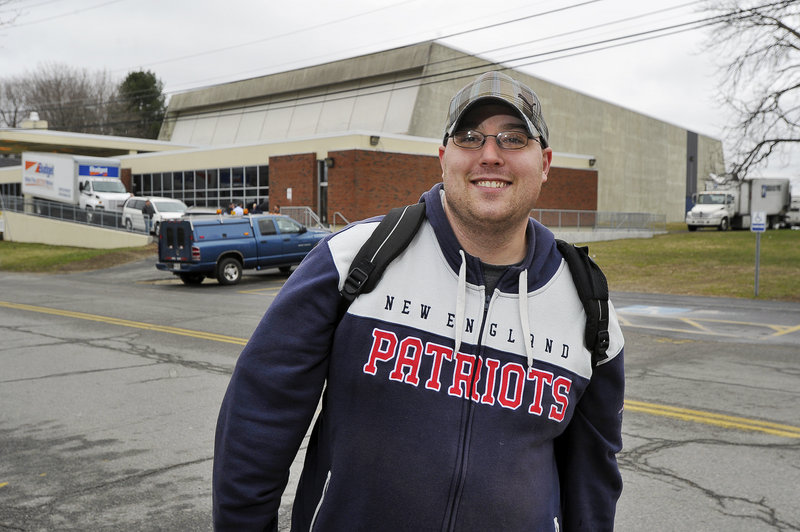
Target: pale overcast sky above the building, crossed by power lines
point(195, 43)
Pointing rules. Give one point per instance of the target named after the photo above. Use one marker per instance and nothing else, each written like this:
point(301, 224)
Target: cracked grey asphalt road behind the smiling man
point(110, 383)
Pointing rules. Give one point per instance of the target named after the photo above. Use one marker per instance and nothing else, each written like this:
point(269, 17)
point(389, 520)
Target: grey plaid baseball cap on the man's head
point(499, 86)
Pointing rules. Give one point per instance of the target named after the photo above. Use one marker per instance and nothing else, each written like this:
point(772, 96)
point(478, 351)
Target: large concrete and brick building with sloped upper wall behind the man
point(355, 137)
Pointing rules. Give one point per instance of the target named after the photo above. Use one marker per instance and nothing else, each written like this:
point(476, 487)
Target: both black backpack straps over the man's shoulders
point(398, 228)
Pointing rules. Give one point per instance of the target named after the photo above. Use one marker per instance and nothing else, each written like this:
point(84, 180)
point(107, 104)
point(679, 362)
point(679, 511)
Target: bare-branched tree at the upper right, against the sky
point(760, 46)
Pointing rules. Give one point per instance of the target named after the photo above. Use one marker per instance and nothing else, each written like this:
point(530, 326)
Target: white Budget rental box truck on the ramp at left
point(90, 183)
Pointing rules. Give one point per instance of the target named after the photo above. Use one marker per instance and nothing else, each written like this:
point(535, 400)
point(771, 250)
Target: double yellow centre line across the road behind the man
point(697, 416)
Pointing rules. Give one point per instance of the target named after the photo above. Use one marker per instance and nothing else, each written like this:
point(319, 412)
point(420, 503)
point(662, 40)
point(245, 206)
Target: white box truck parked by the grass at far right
point(731, 204)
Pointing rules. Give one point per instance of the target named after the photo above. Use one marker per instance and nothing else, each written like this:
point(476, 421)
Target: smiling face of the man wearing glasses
point(490, 188)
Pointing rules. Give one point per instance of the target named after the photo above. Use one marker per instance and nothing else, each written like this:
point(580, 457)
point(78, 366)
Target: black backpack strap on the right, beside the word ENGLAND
point(592, 288)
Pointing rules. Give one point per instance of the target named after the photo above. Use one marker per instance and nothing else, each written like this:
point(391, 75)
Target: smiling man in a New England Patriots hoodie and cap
point(458, 394)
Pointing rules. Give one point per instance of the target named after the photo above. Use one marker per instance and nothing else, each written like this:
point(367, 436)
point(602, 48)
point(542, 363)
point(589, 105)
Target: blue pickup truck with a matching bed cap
point(222, 247)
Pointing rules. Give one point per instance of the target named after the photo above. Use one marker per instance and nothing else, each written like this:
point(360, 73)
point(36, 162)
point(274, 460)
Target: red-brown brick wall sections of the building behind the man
point(362, 183)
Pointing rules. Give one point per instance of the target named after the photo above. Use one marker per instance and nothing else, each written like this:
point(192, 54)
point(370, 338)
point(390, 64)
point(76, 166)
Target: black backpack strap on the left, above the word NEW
point(389, 239)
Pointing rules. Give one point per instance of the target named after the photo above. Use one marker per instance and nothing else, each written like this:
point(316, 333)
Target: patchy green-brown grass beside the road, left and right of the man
point(710, 263)
